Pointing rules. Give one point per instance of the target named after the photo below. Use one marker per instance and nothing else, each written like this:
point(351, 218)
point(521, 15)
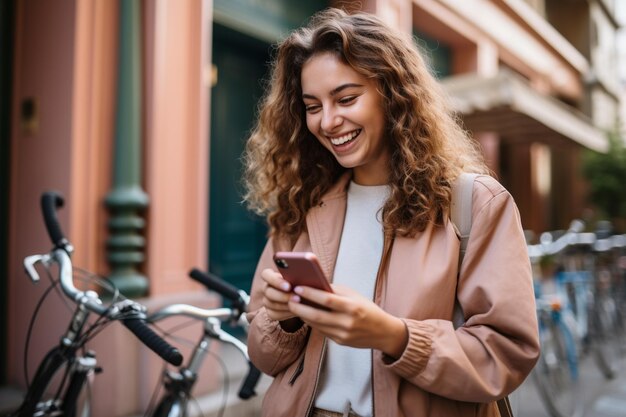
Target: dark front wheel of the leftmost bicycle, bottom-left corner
point(55, 381)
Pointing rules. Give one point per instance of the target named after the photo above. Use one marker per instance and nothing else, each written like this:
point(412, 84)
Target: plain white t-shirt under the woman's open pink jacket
point(345, 381)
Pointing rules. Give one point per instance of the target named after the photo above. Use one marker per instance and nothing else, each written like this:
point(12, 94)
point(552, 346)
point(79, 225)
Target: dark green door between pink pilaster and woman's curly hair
point(236, 236)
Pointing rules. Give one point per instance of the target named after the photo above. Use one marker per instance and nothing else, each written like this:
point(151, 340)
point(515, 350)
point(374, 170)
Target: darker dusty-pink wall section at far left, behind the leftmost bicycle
point(39, 161)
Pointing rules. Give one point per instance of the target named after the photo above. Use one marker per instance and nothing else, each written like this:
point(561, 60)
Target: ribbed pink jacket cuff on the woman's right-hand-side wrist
point(417, 352)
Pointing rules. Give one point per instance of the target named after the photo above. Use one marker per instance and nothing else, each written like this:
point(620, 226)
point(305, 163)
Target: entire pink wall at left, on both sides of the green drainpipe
point(66, 54)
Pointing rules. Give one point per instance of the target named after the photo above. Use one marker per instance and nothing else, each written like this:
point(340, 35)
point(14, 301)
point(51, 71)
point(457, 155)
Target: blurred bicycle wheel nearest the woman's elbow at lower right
point(556, 372)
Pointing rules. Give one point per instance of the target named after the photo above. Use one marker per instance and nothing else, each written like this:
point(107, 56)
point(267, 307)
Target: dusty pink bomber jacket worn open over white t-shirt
point(443, 371)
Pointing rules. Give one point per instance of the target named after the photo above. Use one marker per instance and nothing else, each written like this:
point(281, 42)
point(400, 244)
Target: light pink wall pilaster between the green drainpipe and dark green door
point(176, 129)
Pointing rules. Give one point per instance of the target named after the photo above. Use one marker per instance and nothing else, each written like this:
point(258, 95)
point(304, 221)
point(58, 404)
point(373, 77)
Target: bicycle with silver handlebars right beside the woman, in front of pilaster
point(178, 384)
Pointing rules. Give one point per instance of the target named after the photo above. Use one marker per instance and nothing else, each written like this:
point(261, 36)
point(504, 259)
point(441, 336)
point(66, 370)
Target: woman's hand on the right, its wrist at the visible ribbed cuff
point(352, 320)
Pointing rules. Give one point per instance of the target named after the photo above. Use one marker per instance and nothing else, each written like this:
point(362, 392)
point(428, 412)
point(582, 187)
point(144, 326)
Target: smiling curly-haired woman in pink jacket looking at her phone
point(353, 158)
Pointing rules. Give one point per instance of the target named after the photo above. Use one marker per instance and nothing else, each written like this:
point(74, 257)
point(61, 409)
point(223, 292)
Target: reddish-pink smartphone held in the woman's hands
point(302, 269)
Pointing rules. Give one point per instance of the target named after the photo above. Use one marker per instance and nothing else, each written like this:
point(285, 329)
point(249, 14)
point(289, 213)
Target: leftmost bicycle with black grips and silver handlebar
point(60, 386)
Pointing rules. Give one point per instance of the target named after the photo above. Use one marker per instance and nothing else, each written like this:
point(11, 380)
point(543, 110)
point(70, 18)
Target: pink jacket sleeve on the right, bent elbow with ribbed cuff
point(496, 348)
